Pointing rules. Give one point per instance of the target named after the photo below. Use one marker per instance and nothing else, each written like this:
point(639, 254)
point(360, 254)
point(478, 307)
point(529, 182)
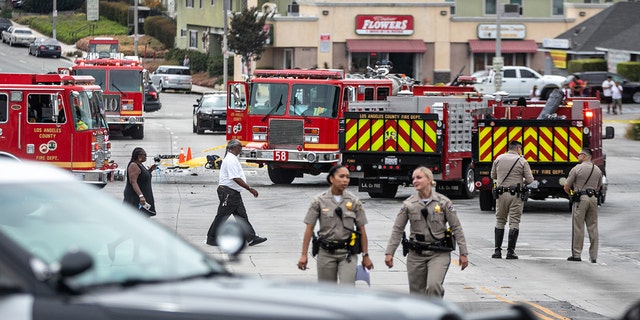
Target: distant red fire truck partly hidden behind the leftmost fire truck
point(121, 81)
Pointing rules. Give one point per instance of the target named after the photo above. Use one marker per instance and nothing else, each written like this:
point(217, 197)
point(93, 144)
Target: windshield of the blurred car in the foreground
point(51, 219)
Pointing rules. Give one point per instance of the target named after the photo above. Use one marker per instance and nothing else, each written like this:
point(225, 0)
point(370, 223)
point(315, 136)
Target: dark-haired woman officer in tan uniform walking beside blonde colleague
point(339, 213)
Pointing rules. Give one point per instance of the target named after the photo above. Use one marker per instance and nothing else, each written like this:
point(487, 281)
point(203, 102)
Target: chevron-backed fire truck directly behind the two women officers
point(429, 126)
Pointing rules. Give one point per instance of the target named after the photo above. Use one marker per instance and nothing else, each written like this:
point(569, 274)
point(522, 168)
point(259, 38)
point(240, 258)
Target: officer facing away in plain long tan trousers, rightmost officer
point(583, 185)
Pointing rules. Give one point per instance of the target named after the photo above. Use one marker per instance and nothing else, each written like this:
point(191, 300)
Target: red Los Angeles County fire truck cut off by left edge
point(55, 118)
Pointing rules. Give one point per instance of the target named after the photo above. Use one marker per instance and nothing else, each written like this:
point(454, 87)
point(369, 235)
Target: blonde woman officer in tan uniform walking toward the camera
point(428, 213)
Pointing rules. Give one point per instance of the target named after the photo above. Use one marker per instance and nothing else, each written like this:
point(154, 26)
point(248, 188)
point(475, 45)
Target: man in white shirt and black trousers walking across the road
point(232, 181)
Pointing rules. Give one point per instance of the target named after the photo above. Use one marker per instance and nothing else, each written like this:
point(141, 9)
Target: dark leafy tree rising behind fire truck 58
point(247, 35)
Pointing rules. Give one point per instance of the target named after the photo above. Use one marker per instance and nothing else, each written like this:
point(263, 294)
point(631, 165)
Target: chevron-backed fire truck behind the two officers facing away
point(551, 143)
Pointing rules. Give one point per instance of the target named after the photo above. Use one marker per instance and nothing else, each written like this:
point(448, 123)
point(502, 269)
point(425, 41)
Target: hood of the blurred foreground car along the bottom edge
point(246, 298)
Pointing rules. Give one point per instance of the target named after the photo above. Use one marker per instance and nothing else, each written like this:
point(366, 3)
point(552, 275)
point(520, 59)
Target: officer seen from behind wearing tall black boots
point(508, 172)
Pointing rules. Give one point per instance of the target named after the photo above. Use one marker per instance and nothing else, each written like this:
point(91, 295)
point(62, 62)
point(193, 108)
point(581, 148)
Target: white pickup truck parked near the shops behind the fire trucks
point(518, 82)
